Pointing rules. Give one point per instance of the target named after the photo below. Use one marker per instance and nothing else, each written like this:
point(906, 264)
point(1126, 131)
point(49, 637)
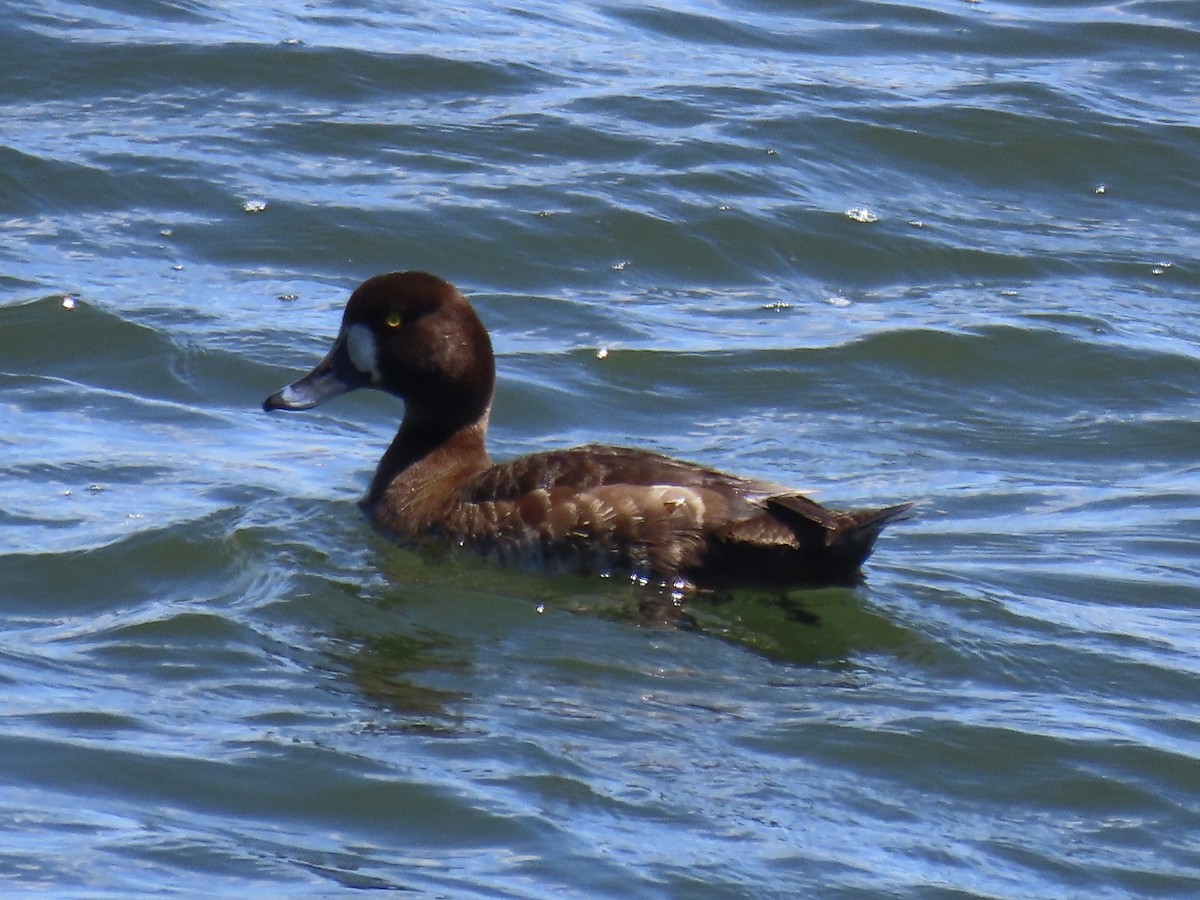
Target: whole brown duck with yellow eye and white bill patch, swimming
point(587, 511)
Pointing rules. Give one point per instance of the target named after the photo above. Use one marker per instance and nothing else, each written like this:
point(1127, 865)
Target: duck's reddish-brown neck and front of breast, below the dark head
point(430, 442)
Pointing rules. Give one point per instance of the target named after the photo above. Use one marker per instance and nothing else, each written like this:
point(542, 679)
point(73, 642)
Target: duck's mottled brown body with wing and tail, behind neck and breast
point(614, 508)
